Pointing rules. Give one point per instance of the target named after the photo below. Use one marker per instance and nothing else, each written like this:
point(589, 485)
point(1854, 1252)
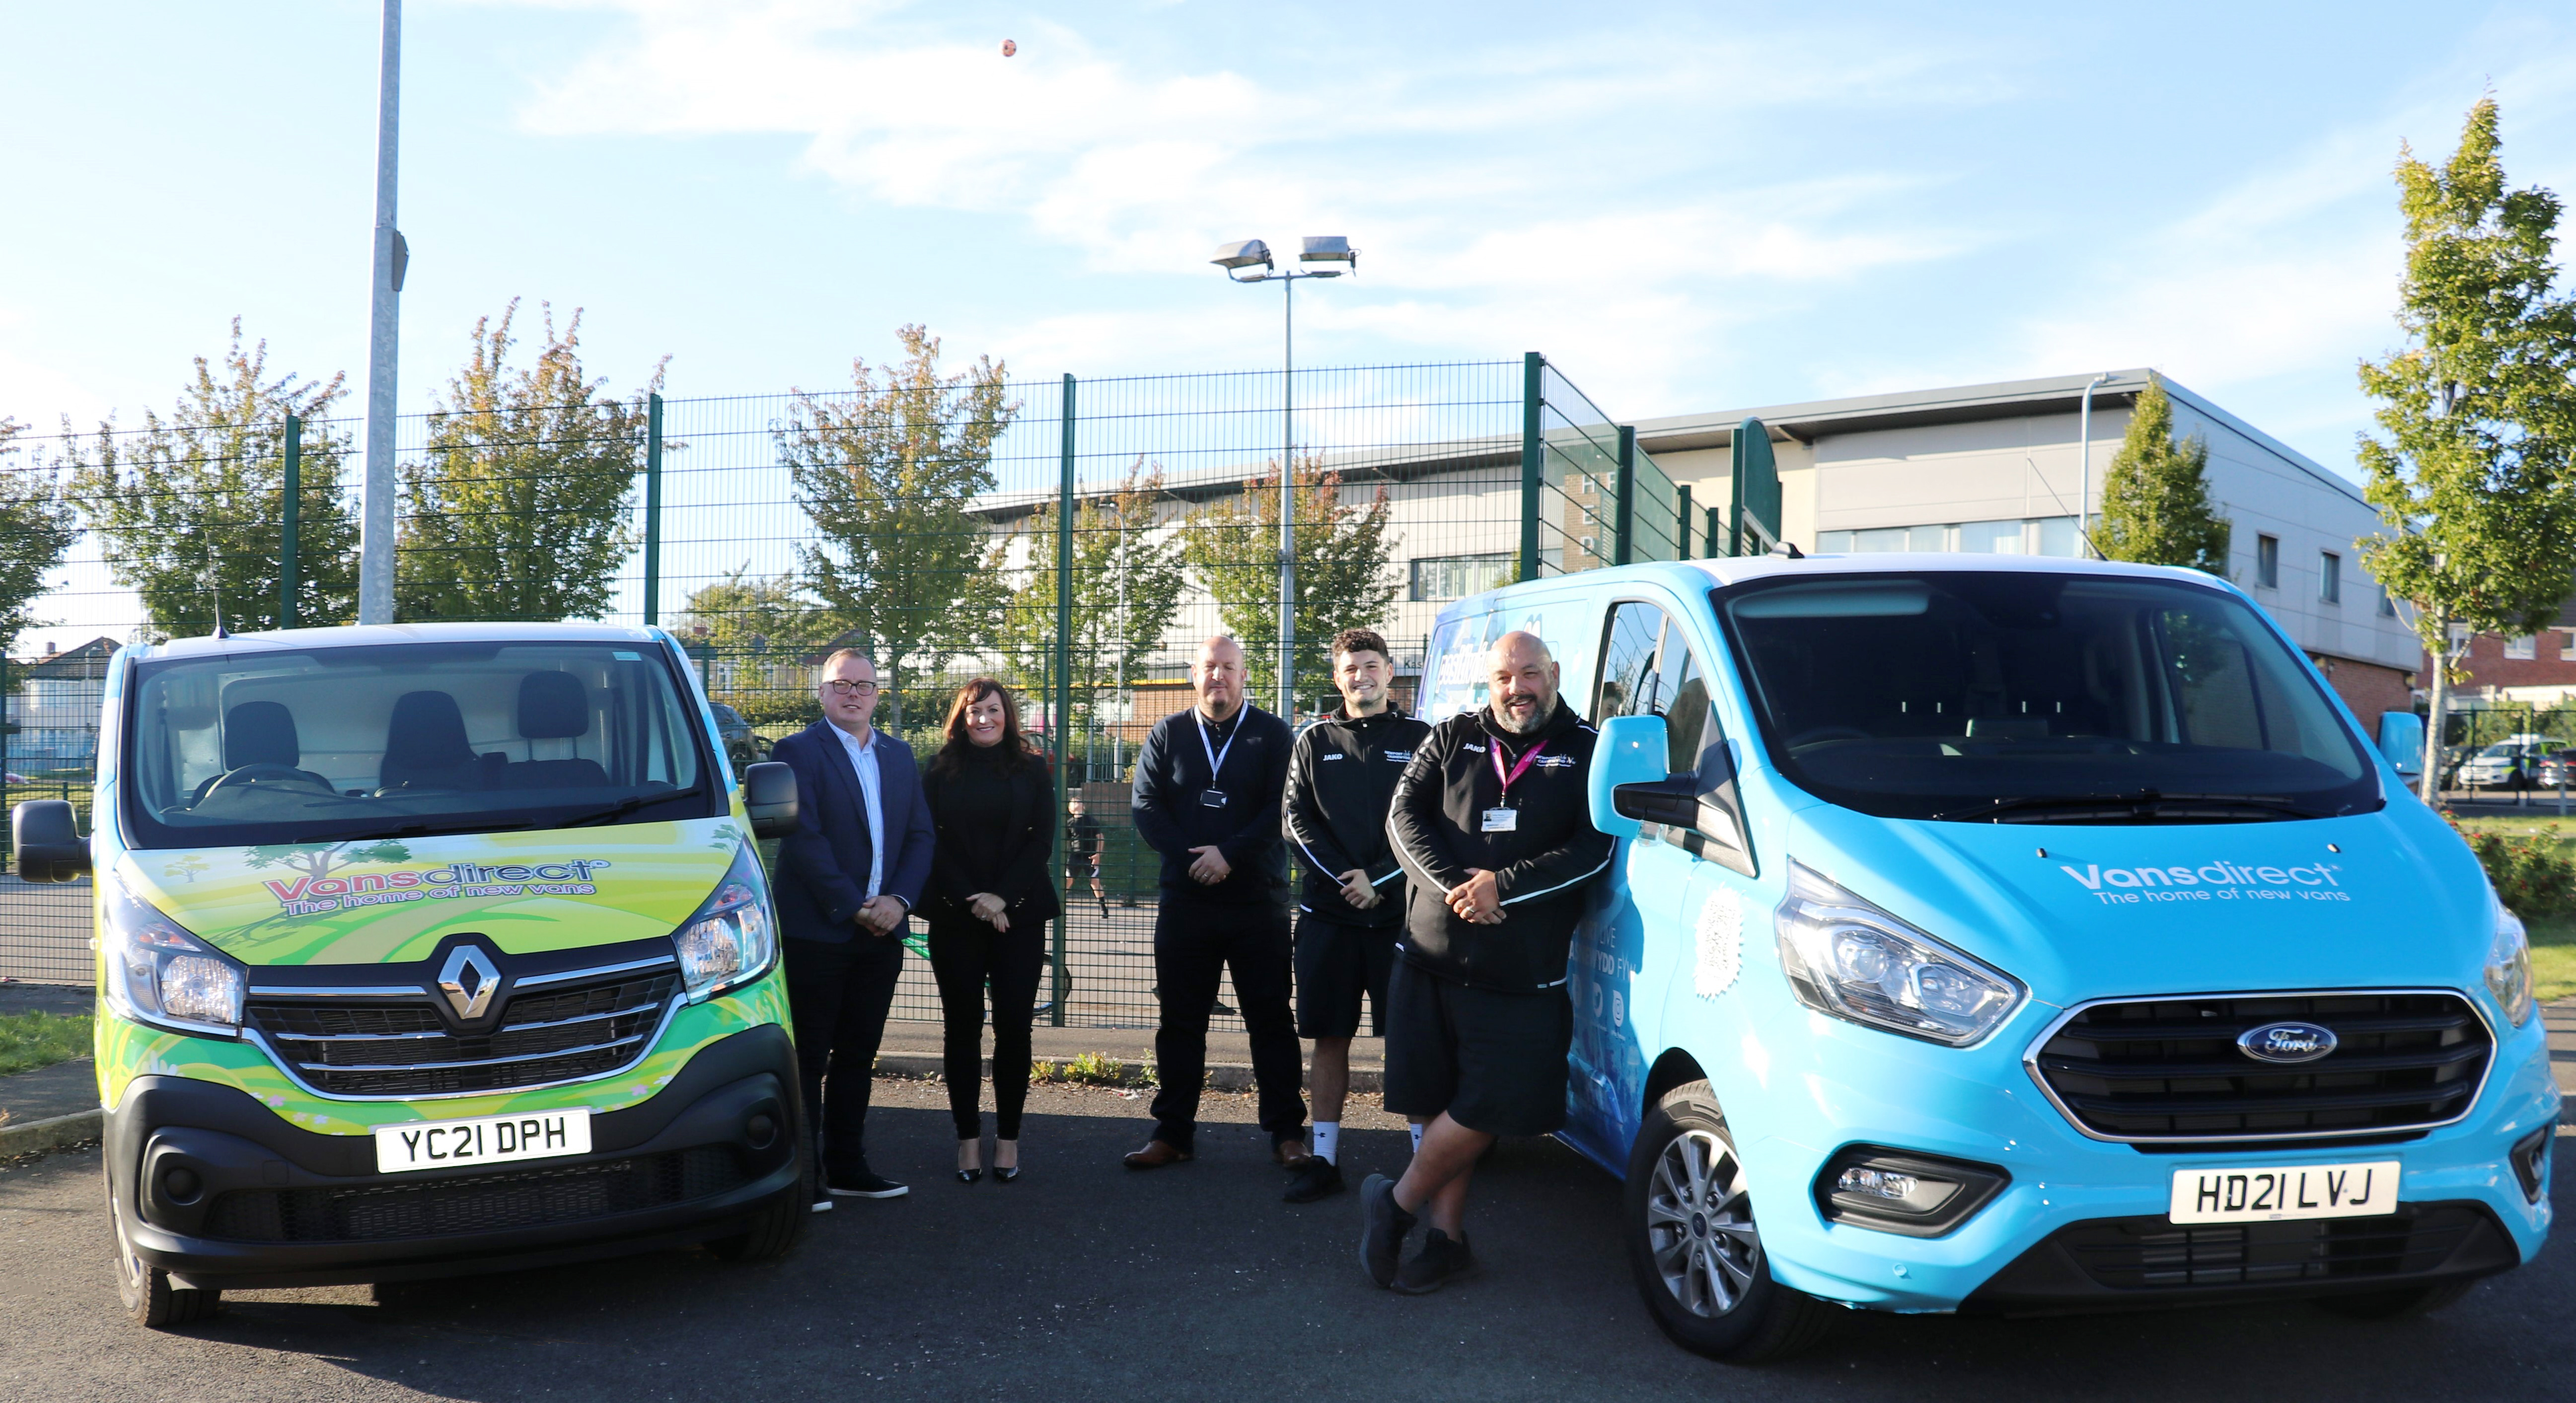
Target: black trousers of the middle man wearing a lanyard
point(1194, 946)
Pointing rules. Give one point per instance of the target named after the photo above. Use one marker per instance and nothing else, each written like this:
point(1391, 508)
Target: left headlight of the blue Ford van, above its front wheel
point(1861, 964)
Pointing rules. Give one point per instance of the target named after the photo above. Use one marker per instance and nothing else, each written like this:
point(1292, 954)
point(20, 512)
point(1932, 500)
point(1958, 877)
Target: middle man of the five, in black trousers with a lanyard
point(1209, 802)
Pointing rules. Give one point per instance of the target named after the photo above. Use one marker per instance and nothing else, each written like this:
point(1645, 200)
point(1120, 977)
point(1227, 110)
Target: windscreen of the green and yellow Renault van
point(411, 740)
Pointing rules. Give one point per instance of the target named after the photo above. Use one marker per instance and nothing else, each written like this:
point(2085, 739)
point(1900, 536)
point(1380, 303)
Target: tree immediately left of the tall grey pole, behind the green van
point(192, 506)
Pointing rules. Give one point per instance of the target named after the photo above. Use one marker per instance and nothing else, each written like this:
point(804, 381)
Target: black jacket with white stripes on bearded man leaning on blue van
point(1542, 866)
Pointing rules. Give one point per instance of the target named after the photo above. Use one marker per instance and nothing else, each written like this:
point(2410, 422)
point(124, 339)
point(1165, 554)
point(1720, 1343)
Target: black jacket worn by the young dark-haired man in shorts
point(1341, 781)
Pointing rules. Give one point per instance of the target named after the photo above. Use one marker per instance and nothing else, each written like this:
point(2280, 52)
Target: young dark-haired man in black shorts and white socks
point(1341, 781)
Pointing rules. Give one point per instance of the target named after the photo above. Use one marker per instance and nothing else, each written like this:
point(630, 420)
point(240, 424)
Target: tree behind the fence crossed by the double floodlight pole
point(1343, 568)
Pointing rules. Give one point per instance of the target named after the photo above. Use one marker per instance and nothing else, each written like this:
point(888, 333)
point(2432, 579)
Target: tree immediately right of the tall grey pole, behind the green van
point(522, 506)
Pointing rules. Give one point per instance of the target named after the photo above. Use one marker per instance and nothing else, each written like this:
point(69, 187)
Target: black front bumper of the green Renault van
point(277, 1206)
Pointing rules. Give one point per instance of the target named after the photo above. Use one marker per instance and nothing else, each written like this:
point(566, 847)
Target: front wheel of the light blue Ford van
point(1722, 1299)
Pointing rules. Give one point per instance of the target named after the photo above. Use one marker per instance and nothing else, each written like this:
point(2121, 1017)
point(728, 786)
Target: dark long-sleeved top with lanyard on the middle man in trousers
point(1173, 815)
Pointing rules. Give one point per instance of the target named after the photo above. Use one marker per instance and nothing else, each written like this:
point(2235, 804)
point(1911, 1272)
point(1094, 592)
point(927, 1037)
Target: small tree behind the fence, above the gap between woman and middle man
point(1127, 588)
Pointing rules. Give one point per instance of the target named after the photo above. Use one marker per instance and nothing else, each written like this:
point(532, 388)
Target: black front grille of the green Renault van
point(401, 1046)
